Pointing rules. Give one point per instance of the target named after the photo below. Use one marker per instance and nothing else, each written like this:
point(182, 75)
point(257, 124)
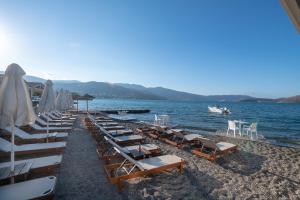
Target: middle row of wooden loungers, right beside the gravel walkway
point(128, 157)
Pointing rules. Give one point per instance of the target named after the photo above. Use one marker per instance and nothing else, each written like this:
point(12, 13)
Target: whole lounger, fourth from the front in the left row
point(24, 137)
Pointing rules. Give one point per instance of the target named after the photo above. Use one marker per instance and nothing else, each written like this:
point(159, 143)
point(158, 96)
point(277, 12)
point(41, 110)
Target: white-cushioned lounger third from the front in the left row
point(27, 149)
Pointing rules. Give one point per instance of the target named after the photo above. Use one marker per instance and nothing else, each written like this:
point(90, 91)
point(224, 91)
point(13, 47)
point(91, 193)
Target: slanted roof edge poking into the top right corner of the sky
point(292, 8)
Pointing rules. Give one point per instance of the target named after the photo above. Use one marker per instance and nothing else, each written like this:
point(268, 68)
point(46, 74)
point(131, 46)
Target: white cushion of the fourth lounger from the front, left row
point(24, 135)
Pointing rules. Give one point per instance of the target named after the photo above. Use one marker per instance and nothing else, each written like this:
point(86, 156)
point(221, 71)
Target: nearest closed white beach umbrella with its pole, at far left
point(15, 103)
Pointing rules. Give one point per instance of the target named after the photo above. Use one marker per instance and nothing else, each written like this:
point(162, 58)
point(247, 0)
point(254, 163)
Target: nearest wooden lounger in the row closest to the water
point(211, 150)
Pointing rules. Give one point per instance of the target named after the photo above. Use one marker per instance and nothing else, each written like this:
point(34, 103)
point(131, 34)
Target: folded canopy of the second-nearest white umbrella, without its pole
point(47, 102)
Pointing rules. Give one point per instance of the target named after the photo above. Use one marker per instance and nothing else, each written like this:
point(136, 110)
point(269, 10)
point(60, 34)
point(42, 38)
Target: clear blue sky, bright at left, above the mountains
point(202, 46)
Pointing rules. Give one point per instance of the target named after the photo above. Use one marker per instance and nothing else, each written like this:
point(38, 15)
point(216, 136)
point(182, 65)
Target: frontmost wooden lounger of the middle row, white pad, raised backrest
point(131, 168)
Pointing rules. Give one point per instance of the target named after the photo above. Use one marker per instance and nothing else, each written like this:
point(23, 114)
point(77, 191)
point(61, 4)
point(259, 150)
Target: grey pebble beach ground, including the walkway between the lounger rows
point(257, 171)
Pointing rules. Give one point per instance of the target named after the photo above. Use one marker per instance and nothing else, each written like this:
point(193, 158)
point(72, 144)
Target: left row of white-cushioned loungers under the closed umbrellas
point(27, 144)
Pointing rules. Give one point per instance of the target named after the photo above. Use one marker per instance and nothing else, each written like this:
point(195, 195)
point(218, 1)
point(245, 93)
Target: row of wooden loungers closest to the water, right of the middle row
point(201, 146)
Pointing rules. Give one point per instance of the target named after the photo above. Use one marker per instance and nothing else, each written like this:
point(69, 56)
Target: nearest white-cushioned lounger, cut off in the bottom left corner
point(40, 188)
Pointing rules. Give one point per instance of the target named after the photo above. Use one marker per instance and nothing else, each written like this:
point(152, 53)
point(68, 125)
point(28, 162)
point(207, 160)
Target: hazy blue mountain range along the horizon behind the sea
point(135, 91)
